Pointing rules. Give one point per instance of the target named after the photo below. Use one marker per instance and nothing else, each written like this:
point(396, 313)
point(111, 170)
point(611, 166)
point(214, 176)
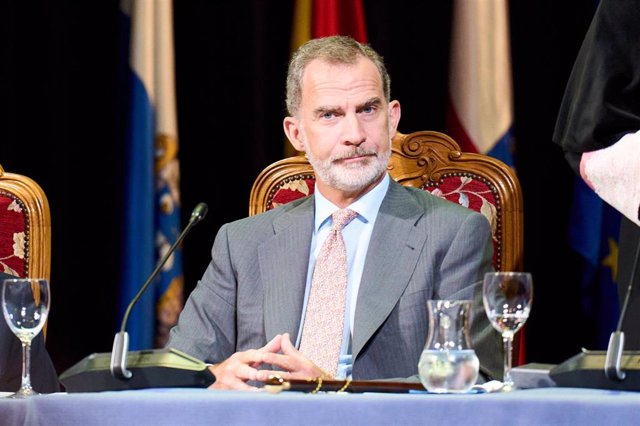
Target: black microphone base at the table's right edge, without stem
point(586, 370)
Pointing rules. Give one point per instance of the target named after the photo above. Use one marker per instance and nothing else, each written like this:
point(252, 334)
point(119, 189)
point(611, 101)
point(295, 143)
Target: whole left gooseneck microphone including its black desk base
point(157, 368)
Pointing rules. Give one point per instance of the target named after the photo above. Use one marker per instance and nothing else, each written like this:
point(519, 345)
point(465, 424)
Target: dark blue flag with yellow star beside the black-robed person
point(593, 234)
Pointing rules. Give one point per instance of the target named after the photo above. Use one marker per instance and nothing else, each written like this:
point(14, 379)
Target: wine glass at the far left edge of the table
point(25, 304)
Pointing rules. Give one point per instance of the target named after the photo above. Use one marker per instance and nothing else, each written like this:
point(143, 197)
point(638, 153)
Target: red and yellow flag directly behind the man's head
point(322, 18)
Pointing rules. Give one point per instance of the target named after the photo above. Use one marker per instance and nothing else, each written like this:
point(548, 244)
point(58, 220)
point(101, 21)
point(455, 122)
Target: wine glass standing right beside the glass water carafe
point(507, 298)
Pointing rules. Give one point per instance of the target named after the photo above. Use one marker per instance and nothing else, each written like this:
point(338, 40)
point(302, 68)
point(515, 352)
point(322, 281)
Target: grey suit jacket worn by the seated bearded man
point(422, 247)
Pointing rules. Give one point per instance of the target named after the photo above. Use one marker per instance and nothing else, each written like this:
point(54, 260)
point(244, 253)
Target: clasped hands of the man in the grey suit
point(241, 367)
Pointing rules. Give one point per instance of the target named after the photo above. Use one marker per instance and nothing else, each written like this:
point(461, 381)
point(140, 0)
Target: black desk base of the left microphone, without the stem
point(156, 368)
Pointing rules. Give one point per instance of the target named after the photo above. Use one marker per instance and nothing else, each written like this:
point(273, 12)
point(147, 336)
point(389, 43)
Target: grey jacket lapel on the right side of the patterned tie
point(391, 259)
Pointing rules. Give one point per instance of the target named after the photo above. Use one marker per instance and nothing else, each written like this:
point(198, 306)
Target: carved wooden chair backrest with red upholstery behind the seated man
point(431, 161)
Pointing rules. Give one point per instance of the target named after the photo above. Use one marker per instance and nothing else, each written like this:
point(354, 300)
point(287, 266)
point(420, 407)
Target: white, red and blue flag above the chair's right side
point(480, 109)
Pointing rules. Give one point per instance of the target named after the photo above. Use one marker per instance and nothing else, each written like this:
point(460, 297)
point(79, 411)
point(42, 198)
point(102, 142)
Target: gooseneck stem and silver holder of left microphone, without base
point(121, 340)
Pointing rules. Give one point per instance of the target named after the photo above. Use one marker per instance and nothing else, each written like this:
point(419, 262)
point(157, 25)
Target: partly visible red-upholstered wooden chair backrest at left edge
point(25, 227)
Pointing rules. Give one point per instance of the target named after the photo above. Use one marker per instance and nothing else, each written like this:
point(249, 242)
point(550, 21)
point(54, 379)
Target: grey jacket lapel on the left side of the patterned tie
point(283, 267)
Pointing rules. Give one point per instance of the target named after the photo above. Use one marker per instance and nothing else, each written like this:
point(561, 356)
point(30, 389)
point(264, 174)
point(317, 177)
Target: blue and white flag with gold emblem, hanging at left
point(152, 198)
